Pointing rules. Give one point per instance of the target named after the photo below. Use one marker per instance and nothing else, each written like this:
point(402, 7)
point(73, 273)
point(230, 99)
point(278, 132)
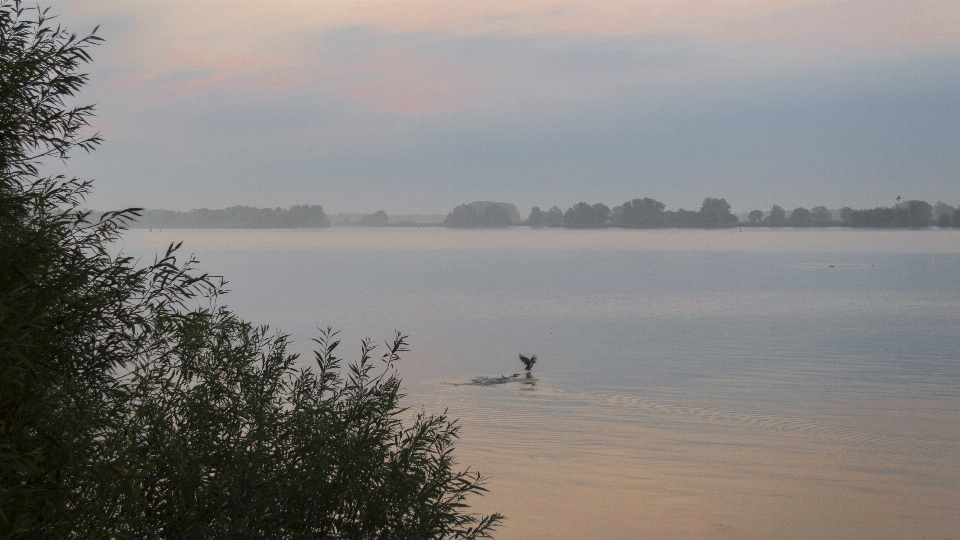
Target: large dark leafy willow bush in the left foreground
point(134, 405)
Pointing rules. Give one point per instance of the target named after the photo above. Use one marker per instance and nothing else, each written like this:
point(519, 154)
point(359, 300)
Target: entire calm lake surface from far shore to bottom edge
point(691, 384)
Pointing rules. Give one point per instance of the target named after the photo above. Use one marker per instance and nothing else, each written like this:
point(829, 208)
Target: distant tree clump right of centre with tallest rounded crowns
point(643, 213)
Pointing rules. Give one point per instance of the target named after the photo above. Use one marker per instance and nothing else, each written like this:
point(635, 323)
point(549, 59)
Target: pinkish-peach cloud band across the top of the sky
point(269, 50)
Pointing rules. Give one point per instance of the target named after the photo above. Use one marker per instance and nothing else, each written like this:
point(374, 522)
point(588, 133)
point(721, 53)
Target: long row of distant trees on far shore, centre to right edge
point(649, 213)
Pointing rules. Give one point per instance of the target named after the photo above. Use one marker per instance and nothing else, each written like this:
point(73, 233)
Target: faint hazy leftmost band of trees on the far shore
point(236, 217)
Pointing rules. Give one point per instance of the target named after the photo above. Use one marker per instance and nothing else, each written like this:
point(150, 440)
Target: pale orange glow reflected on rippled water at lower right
point(611, 466)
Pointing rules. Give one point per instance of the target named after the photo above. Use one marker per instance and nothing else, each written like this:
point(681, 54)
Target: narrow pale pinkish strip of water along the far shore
point(750, 239)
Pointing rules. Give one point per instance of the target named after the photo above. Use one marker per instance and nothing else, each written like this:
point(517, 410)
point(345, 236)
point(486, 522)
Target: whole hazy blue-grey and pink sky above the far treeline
point(416, 106)
